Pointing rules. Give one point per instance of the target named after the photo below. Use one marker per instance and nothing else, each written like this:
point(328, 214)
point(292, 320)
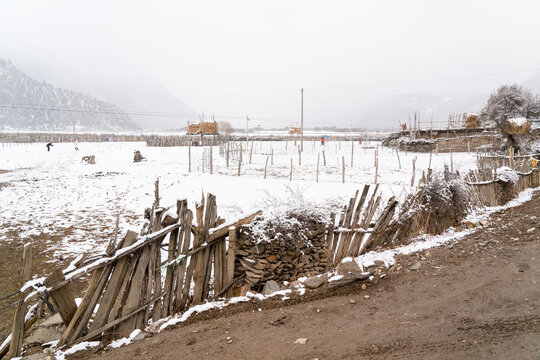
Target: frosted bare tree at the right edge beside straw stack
point(510, 102)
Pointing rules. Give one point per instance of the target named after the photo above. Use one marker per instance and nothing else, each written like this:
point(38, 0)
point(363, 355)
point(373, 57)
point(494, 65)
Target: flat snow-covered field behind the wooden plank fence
point(55, 194)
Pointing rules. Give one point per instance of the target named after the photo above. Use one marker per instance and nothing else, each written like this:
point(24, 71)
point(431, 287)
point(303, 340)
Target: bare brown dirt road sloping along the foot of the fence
point(475, 299)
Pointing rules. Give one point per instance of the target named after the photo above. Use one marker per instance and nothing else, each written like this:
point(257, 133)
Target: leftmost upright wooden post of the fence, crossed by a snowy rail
point(17, 330)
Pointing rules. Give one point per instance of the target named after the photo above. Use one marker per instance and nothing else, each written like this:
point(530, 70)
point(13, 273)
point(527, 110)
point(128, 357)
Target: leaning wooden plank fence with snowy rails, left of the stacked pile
point(127, 284)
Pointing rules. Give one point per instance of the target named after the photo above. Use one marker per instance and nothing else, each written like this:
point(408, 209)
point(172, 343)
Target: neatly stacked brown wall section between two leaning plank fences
point(290, 254)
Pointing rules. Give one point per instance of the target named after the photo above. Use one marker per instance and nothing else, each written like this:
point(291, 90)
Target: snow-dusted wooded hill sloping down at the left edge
point(23, 93)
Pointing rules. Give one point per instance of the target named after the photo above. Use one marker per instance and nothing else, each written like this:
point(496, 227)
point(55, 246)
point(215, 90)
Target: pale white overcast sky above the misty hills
point(252, 57)
